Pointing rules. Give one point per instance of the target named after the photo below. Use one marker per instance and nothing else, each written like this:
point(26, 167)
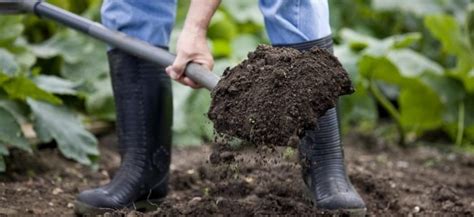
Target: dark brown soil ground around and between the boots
point(421, 181)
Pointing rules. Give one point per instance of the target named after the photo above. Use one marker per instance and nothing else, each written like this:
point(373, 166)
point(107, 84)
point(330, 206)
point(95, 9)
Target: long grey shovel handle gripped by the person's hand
point(133, 46)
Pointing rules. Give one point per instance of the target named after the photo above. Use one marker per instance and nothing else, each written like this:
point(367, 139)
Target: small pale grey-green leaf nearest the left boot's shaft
point(54, 84)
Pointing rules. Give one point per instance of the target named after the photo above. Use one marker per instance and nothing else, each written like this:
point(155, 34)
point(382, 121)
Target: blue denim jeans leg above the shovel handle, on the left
point(148, 20)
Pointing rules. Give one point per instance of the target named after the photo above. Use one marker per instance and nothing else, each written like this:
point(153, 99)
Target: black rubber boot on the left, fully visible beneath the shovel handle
point(143, 101)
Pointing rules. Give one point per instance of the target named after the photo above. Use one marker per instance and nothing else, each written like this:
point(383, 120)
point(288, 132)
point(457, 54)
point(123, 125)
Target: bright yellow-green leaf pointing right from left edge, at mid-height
point(22, 87)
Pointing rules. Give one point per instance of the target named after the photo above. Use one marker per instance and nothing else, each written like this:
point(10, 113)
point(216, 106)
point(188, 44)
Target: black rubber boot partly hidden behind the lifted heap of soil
point(322, 159)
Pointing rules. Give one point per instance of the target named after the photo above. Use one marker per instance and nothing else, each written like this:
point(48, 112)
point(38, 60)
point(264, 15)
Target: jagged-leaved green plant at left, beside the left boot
point(28, 96)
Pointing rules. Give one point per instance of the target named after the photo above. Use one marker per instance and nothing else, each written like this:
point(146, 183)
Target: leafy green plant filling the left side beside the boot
point(32, 93)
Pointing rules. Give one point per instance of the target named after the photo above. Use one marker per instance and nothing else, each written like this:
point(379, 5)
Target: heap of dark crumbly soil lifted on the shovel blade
point(276, 93)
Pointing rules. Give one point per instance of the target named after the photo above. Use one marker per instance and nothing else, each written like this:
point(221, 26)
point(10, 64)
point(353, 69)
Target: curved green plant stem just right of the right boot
point(387, 105)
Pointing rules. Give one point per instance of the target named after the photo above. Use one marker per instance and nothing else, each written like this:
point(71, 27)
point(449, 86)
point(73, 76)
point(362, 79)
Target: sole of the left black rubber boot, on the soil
point(83, 209)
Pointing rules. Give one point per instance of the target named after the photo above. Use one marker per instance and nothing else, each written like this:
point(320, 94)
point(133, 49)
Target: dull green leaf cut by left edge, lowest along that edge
point(10, 131)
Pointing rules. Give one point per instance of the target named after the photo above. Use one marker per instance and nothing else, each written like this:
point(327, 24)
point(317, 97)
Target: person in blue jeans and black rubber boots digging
point(144, 107)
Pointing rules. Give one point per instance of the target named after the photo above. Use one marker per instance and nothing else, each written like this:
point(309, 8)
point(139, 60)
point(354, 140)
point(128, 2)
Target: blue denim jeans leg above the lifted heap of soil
point(295, 21)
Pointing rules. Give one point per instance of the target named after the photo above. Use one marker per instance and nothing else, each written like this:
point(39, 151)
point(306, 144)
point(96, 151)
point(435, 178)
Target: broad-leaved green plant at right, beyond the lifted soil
point(429, 96)
